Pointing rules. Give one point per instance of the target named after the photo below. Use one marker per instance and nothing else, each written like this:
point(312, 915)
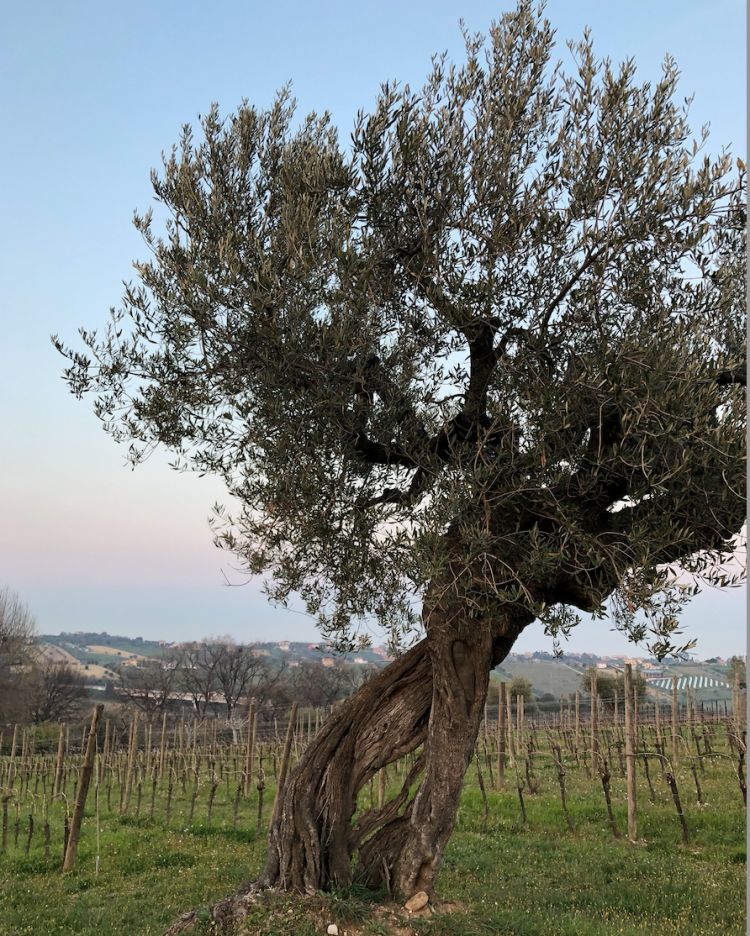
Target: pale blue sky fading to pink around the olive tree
point(91, 93)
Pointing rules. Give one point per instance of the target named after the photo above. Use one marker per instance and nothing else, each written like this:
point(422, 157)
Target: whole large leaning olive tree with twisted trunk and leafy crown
point(476, 369)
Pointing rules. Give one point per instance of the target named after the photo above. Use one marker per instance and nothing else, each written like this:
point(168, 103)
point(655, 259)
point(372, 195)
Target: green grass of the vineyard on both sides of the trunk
point(501, 875)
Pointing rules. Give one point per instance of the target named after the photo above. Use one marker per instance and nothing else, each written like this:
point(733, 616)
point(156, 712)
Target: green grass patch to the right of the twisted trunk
point(543, 879)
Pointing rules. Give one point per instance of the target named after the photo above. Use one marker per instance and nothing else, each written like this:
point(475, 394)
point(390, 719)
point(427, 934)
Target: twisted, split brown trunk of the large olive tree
point(431, 697)
